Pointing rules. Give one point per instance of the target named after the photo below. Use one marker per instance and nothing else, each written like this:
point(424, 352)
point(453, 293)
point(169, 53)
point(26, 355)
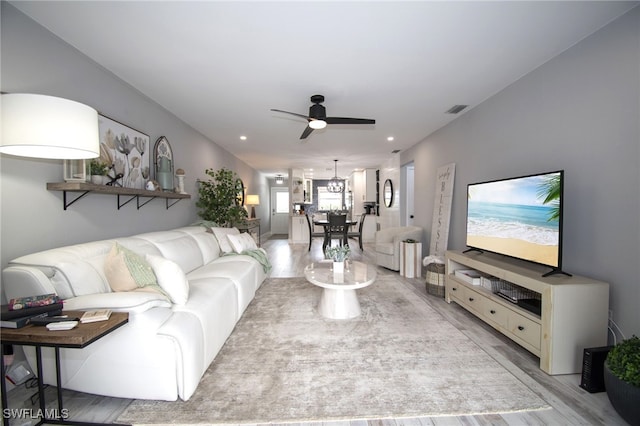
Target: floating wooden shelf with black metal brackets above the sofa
point(130, 193)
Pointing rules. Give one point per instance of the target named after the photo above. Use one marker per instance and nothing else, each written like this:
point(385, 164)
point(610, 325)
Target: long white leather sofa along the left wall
point(167, 344)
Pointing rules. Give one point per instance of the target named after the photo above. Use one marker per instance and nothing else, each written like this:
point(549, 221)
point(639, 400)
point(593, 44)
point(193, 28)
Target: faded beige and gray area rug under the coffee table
point(286, 363)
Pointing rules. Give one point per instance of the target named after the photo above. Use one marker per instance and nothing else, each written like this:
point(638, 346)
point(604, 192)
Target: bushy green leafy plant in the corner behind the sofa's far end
point(218, 198)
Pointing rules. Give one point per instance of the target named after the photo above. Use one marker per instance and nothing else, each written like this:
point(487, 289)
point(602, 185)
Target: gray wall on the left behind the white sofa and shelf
point(32, 218)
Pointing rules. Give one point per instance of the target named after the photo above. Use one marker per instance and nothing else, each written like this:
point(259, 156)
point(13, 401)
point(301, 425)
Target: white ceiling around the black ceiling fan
point(221, 66)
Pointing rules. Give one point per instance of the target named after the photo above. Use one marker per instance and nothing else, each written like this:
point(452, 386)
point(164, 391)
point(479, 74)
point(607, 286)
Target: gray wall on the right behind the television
point(579, 112)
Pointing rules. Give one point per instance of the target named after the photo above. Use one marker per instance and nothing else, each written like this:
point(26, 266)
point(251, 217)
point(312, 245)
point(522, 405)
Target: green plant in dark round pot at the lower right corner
point(622, 379)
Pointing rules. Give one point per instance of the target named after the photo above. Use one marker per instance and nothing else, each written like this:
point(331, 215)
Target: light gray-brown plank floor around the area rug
point(571, 405)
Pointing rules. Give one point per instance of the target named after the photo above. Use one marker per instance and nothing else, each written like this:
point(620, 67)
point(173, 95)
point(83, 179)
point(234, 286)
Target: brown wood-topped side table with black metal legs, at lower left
point(38, 336)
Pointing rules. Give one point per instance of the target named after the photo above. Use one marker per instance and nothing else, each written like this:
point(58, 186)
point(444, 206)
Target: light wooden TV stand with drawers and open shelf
point(574, 310)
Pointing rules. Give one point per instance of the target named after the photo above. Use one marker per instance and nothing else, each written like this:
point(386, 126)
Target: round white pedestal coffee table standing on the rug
point(339, 299)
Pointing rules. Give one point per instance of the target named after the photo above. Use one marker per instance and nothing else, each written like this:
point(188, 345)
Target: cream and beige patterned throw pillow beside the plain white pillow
point(128, 271)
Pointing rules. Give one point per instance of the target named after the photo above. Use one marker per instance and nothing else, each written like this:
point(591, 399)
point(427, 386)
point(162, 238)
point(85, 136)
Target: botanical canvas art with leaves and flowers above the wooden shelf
point(128, 149)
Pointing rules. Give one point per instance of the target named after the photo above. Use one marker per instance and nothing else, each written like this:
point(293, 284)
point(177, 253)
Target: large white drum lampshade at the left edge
point(42, 126)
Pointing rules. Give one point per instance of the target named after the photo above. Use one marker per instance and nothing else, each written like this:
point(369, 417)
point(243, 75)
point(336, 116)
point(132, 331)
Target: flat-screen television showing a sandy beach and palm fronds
point(517, 217)
